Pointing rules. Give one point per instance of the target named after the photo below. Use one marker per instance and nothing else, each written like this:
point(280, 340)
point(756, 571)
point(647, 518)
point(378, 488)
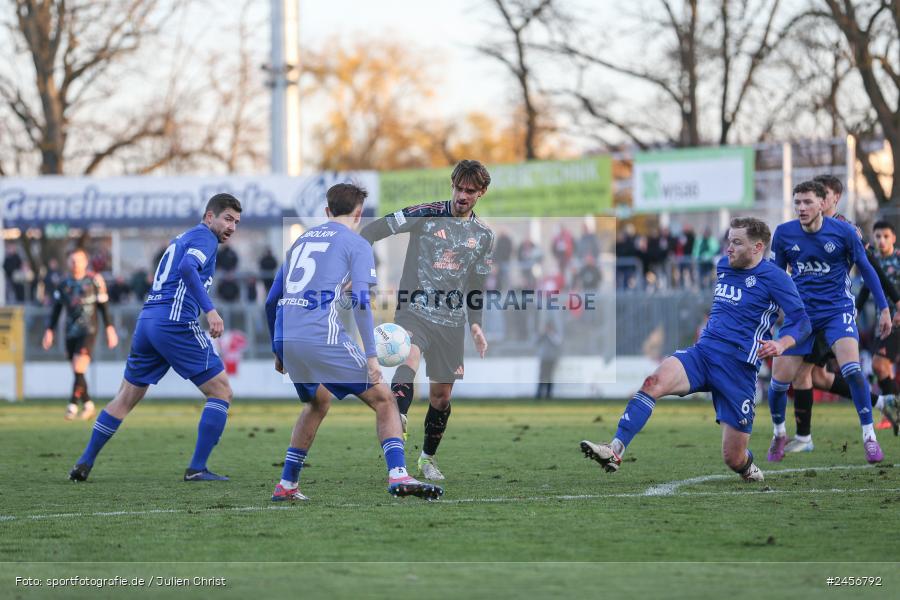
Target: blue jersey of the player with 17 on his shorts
point(820, 265)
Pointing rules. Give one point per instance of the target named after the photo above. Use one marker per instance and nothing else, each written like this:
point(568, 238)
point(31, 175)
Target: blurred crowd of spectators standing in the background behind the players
point(659, 259)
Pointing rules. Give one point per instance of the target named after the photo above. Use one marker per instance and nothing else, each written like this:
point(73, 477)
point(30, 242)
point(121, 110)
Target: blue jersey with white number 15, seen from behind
point(316, 267)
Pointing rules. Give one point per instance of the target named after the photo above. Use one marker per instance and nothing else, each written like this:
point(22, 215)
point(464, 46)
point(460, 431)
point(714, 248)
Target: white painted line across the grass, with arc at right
point(749, 491)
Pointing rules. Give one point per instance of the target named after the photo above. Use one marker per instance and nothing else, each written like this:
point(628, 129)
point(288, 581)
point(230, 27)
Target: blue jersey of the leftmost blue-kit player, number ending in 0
point(169, 298)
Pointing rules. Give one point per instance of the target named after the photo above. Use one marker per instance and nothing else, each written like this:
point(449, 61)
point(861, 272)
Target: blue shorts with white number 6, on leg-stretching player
point(731, 381)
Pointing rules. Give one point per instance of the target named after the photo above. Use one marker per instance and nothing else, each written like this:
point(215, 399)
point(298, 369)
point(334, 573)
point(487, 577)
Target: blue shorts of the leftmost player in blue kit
point(158, 345)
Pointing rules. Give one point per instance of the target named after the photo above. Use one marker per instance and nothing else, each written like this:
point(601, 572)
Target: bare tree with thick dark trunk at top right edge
point(871, 29)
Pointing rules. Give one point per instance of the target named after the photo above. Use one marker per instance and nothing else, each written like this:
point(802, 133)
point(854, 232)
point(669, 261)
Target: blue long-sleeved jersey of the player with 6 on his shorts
point(745, 306)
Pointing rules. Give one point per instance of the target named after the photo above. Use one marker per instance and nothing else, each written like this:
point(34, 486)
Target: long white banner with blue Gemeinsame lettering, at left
point(141, 201)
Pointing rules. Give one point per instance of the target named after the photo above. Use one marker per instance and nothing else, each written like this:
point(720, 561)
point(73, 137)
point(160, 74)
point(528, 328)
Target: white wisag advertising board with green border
point(693, 179)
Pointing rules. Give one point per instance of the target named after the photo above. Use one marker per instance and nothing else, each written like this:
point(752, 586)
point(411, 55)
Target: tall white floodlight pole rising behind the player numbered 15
point(284, 72)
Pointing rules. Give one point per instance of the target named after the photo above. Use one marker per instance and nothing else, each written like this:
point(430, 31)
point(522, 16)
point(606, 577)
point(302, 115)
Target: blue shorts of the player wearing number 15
point(340, 367)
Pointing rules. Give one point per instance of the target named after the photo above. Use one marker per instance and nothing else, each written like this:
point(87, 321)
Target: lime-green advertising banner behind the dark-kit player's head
point(532, 189)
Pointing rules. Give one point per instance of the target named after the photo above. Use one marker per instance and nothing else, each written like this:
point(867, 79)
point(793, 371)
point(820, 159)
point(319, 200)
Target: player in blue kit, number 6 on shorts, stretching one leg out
point(726, 359)
